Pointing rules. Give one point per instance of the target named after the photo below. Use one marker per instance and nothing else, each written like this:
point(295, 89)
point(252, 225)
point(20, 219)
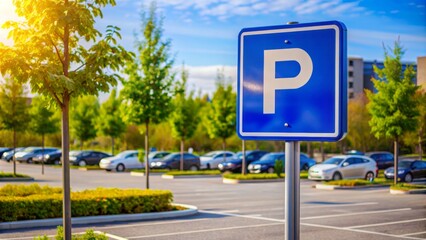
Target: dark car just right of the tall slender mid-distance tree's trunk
point(172, 161)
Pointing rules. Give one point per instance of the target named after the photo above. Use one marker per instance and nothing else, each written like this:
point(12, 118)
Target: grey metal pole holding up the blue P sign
point(292, 190)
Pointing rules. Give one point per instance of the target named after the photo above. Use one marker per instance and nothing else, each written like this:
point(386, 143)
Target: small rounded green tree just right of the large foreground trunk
point(83, 118)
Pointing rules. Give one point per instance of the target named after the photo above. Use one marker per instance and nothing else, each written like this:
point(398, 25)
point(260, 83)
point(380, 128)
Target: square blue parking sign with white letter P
point(292, 82)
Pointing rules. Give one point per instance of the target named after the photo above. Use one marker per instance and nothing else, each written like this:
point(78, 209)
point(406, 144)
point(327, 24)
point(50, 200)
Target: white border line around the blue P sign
point(337, 85)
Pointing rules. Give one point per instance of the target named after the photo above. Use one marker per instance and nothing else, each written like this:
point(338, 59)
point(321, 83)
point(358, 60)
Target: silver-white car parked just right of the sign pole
point(343, 167)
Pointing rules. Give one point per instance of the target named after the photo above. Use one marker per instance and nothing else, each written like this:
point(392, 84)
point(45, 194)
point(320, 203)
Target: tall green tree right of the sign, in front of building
point(394, 108)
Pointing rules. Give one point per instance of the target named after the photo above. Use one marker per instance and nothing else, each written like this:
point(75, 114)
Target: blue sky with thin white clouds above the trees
point(204, 32)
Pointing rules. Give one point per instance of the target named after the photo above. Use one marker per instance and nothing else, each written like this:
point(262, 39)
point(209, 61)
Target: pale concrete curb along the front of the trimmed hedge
point(191, 210)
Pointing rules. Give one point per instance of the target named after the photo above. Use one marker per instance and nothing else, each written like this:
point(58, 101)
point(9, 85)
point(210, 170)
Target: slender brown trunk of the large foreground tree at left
point(66, 168)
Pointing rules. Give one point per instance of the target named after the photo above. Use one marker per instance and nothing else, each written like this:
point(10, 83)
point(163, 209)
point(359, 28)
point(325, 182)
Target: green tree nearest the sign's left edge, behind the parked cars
point(221, 114)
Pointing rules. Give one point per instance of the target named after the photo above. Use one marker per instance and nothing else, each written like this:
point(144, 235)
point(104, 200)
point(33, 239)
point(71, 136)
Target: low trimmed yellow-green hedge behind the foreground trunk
point(47, 202)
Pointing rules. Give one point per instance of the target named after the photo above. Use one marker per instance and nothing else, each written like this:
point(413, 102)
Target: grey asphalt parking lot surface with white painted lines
point(246, 211)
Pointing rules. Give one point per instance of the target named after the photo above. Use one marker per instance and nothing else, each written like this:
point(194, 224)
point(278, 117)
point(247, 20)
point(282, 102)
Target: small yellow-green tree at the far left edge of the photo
point(14, 114)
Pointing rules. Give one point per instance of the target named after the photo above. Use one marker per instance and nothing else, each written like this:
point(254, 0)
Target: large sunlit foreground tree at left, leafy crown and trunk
point(60, 52)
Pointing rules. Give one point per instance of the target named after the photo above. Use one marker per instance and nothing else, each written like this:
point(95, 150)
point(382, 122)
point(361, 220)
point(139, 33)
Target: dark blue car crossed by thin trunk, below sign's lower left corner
point(235, 165)
